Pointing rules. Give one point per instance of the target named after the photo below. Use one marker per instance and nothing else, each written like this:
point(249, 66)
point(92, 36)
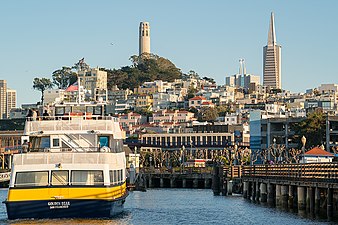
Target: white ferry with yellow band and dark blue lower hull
point(75, 166)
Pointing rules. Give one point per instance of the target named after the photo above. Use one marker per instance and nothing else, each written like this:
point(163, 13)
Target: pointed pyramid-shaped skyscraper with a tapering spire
point(272, 73)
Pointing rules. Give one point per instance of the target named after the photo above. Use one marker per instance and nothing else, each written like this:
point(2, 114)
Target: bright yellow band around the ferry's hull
point(49, 193)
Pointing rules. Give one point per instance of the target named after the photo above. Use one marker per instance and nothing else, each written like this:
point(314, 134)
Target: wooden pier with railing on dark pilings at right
point(309, 188)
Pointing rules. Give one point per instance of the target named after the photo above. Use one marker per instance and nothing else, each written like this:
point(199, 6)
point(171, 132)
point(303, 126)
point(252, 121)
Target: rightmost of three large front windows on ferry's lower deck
point(87, 177)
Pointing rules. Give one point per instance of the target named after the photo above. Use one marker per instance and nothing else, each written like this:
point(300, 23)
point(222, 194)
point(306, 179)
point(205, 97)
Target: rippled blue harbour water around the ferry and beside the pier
point(182, 206)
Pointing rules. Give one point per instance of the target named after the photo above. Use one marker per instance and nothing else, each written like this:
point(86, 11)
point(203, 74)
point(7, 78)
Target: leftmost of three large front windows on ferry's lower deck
point(31, 179)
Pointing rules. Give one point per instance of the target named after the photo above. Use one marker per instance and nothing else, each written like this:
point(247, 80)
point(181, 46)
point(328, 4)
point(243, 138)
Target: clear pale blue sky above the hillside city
point(209, 37)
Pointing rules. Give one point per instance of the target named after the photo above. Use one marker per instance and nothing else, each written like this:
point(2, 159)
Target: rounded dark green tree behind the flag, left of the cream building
point(64, 77)
